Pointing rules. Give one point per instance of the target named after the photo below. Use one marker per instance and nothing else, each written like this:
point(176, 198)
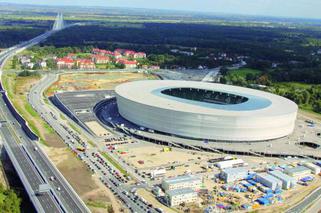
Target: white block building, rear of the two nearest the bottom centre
point(180, 182)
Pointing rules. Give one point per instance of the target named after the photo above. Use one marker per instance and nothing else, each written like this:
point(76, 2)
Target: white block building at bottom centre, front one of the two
point(177, 196)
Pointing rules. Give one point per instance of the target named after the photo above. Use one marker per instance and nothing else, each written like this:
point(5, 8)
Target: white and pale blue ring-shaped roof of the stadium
point(259, 103)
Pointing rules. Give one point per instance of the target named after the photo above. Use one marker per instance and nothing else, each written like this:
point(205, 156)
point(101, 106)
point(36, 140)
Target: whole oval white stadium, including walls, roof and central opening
point(206, 111)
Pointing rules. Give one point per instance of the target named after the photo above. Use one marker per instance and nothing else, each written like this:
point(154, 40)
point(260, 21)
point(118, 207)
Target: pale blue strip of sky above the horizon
point(279, 8)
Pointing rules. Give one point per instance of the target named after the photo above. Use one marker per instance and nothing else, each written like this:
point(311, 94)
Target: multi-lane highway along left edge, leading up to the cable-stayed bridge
point(33, 166)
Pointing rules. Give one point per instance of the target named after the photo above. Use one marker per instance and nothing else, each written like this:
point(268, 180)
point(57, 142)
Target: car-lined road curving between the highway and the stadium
point(98, 165)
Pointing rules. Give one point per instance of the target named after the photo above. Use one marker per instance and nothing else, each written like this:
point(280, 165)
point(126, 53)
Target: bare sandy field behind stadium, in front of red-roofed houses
point(95, 81)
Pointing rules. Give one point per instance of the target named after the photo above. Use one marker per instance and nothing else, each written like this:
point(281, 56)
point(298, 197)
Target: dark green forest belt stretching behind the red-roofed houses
point(287, 54)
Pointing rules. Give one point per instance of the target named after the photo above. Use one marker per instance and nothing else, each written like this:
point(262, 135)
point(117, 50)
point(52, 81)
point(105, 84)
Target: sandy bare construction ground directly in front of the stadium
point(184, 160)
